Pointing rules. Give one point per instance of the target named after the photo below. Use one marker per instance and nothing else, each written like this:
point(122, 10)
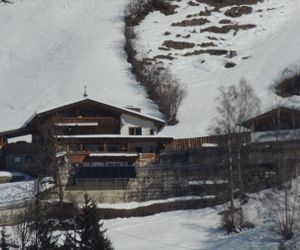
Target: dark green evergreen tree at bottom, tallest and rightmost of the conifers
point(91, 234)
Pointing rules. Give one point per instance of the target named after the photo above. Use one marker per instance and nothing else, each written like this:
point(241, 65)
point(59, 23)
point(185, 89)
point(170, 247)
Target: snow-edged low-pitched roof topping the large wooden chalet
point(120, 109)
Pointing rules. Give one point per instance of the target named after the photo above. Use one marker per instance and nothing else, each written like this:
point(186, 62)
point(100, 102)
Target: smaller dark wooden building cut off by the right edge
point(279, 124)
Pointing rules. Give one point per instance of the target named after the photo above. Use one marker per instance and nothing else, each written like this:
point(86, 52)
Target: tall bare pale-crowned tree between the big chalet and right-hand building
point(235, 104)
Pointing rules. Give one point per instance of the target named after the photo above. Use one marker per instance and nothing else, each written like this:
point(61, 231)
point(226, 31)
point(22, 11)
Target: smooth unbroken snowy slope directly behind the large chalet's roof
point(51, 49)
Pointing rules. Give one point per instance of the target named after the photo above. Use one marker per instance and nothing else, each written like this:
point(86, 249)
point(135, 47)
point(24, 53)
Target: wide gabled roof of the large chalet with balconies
point(105, 106)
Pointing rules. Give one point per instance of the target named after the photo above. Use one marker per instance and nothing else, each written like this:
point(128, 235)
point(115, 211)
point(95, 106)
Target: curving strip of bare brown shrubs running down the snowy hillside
point(165, 91)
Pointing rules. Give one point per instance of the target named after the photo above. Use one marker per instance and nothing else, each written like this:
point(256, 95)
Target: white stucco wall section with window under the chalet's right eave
point(128, 121)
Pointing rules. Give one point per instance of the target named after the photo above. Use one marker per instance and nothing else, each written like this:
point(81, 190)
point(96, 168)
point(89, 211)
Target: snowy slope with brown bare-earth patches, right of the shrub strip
point(263, 54)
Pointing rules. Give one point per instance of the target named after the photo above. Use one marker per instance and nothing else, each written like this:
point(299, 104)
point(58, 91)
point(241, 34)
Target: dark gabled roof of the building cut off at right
point(268, 114)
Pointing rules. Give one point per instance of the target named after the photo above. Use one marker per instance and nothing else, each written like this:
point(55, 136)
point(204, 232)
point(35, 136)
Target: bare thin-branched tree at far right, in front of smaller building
point(285, 200)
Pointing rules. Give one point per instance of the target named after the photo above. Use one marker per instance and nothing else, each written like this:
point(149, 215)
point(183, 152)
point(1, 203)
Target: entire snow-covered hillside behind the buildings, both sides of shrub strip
point(51, 49)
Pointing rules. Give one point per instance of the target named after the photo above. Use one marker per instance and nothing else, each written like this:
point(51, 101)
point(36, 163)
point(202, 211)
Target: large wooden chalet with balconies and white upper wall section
point(101, 141)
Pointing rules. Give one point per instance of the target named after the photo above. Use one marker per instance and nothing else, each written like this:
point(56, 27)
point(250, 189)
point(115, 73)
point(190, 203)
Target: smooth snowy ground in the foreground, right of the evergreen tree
point(190, 229)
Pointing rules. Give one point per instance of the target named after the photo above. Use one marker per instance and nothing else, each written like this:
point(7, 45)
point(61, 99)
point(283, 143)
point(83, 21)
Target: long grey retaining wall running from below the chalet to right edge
point(199, 172)
